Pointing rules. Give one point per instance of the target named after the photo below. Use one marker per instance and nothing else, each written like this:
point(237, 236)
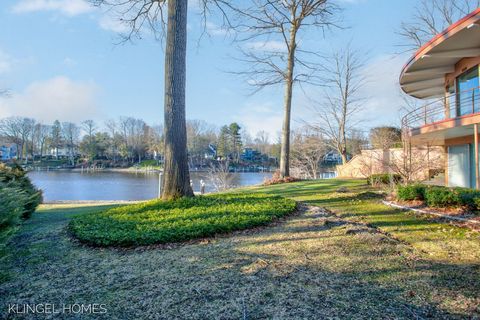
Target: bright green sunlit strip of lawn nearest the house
point(361, 203)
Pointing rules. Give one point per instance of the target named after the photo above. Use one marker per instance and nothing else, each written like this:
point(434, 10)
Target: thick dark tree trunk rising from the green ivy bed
point(176, 182)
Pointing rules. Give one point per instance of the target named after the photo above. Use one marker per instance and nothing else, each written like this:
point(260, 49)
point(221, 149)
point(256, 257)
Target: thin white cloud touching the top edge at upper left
point(66, 7)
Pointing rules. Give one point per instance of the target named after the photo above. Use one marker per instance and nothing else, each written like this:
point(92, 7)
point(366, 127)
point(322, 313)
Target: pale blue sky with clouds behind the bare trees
point(61, 59)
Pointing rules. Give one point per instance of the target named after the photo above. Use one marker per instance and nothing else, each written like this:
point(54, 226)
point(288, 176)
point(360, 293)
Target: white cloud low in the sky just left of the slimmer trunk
point(260, 116)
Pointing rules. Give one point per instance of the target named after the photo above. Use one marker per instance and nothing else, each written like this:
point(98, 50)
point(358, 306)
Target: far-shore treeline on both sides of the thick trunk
point(125, 141)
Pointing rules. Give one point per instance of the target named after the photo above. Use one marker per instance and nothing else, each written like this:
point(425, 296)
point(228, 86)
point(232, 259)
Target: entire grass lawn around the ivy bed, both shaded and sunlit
point(366, 261)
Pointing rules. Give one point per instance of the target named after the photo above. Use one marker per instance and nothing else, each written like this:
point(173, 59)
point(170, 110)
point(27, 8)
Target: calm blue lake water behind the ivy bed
point(70, 185)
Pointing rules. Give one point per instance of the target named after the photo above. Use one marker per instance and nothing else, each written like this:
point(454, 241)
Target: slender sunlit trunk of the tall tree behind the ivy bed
point(285, 148)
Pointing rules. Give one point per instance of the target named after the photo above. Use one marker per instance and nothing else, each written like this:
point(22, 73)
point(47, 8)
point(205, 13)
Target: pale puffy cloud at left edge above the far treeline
point(57, 98)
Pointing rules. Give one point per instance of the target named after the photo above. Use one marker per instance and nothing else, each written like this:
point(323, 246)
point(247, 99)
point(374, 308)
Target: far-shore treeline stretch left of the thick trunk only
point(126, 139)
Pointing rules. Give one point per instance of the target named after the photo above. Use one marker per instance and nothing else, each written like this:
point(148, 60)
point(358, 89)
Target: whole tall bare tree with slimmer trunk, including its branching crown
point(274, 56)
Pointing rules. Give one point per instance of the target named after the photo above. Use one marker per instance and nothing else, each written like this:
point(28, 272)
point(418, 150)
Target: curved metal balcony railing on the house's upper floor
point(449, 107)
